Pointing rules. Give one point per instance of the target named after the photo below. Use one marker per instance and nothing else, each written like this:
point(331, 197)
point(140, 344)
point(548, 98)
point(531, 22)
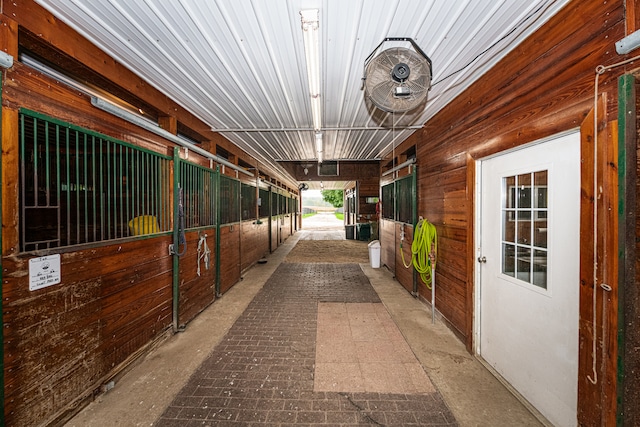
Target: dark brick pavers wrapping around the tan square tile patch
point(262, 373)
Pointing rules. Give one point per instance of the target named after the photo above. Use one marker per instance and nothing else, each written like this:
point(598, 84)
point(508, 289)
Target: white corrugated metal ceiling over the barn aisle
point(240, 64)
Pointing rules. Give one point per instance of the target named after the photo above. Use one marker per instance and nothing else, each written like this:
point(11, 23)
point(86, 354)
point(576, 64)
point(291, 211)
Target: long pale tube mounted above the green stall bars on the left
point(153, 127)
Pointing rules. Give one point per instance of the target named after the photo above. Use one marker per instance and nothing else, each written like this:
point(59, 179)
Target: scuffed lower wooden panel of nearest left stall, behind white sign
point(64, 340)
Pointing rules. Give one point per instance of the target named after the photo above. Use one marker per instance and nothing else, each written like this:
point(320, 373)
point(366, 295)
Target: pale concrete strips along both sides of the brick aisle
point(473, 395)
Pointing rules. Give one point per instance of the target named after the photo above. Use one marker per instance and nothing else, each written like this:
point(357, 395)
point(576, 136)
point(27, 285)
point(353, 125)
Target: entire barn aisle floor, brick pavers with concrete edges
point(310, 337)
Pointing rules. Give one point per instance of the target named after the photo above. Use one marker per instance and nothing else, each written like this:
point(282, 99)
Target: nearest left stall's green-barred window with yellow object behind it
point(78, 186)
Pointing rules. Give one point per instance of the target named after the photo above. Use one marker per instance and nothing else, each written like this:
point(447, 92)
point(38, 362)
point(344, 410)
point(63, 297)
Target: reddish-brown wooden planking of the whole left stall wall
point(63, 342)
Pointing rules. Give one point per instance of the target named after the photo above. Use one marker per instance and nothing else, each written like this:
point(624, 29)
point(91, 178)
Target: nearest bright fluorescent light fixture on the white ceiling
point(310, 26)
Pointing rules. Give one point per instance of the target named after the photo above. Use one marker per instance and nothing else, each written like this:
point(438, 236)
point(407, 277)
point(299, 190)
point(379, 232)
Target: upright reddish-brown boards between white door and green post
point(594, 386)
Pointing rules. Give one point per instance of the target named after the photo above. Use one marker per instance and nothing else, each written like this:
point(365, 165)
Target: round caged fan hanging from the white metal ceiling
point(398, 78)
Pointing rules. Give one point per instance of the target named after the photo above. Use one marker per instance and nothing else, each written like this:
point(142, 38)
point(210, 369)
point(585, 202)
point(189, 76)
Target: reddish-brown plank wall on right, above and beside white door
point(544, 87)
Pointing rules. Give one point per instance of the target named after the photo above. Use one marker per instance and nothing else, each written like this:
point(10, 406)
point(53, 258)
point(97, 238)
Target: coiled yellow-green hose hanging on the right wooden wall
point(423, 248)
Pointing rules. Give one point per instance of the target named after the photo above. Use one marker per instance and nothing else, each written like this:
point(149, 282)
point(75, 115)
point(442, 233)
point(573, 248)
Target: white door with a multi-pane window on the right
point(528, 259)
